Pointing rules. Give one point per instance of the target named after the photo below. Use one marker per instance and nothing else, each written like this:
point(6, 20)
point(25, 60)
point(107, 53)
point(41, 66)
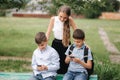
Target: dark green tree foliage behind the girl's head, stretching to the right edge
point(89, 8)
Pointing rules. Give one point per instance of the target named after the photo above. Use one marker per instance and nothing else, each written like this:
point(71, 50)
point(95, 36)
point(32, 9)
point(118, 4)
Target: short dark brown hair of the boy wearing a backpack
point(78, 34)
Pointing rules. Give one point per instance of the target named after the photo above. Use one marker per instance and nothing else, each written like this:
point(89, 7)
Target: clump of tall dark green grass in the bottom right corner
point(107, 70)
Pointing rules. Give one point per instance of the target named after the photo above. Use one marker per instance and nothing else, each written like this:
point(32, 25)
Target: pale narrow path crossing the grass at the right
point(115, 54)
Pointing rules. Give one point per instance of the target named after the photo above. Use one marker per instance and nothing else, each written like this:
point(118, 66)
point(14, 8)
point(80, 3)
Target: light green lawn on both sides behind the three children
point(17, 34)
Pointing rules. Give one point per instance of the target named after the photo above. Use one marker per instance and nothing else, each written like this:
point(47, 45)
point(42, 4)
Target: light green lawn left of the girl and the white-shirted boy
point(17, 35)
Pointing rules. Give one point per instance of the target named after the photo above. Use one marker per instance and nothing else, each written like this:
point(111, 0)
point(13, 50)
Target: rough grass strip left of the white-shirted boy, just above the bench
point(14, 66)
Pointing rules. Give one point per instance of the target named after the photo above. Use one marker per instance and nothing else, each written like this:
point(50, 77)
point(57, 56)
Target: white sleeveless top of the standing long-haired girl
point(58, 28)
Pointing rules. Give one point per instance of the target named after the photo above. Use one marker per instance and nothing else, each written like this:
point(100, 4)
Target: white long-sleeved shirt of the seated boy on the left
point(48, 57)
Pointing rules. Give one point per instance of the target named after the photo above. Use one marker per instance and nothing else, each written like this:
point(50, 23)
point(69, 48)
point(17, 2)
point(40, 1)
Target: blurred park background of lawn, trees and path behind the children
point(17, 34)
